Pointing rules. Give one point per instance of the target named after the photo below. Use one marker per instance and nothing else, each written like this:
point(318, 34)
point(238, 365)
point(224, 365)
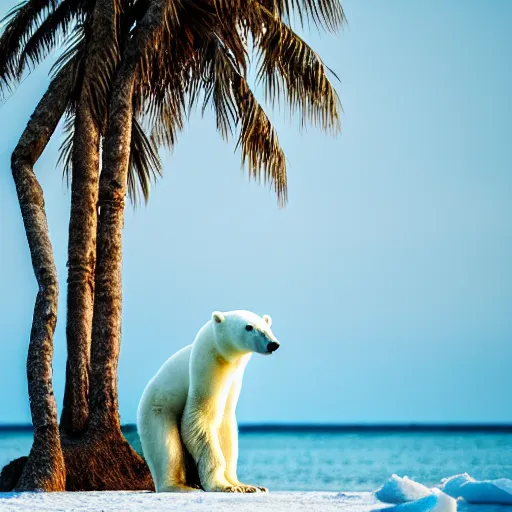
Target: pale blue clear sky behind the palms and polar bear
point(388, 275)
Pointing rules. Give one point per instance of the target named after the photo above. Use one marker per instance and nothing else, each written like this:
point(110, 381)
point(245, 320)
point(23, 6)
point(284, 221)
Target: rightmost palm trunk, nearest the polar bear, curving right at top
point(106, 336)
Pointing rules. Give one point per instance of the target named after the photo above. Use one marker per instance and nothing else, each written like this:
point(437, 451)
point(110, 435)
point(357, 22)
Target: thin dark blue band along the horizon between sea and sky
point(332, 427)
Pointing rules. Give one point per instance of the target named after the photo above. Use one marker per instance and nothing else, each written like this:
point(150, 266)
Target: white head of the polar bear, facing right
point(245, 331)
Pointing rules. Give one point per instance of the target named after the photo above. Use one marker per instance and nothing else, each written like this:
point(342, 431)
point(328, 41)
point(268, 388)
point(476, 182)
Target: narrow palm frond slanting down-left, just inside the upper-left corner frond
point(46, 36)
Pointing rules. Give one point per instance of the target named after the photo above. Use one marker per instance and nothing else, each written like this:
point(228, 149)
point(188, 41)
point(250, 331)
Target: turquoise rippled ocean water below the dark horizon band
point(346, 461)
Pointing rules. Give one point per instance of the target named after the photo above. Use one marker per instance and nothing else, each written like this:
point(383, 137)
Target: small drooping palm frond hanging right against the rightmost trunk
point(145, 164)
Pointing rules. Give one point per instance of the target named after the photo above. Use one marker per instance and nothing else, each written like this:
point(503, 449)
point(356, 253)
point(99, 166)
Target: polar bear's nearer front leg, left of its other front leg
point(202, 441)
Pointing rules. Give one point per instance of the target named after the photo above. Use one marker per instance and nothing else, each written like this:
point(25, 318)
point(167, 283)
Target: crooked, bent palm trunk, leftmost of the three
point(44, 469)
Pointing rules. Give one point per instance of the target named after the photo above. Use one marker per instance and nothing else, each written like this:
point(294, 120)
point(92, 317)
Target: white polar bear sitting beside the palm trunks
point(186, 416)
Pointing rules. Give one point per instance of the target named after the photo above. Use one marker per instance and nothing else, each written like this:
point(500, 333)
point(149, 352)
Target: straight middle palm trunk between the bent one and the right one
point(89, 117)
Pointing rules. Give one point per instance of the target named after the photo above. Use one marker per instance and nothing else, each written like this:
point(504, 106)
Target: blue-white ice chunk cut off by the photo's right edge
point(474, 491)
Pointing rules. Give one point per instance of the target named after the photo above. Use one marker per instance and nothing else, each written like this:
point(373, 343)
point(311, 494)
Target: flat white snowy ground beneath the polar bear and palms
point(205, 502)
